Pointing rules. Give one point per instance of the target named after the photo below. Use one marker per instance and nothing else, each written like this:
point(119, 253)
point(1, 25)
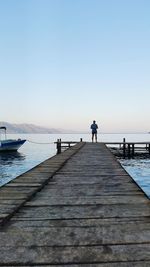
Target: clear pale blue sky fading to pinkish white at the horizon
point(64, 63)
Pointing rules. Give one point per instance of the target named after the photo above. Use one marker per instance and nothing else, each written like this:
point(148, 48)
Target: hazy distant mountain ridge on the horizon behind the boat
point(27, 128)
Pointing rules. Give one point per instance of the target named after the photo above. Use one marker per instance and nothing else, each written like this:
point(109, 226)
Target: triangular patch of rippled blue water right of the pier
point(139, 169)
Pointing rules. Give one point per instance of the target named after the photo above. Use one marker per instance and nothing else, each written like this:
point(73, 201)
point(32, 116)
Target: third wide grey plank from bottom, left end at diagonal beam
point(85, 211)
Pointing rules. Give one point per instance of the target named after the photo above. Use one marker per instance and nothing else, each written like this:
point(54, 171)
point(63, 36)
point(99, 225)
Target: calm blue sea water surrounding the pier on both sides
point(40, 147)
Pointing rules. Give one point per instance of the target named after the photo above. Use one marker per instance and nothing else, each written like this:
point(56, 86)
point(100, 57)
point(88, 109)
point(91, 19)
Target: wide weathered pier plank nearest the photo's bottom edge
point(66, 255)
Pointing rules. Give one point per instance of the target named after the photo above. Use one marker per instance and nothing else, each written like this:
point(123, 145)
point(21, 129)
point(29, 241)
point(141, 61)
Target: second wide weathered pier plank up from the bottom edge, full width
point(77, 236)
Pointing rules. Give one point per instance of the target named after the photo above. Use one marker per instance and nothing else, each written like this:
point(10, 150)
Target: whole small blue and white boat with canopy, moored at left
point(10, 144)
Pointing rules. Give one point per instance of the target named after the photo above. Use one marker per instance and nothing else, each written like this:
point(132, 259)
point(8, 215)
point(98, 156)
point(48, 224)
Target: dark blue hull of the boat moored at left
point(11, 145)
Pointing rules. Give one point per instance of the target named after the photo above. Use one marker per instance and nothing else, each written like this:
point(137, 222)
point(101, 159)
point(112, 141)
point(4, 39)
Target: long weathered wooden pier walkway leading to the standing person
point(79, 209)
